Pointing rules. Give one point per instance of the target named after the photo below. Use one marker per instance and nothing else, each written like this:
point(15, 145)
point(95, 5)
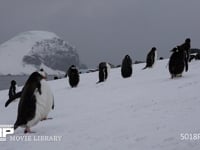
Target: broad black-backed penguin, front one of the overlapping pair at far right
point(177, 62)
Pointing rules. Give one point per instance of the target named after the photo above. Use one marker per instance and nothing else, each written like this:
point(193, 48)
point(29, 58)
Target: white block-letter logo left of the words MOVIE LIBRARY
point(5, 130)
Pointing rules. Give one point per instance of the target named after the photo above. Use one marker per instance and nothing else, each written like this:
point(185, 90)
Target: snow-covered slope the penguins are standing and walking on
point(148, 111)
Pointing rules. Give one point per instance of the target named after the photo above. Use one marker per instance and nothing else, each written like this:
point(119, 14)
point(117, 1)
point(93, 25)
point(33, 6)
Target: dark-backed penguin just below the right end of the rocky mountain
point(73, 75)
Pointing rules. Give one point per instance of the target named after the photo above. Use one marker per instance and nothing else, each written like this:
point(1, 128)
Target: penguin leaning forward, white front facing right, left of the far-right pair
point(151, 58)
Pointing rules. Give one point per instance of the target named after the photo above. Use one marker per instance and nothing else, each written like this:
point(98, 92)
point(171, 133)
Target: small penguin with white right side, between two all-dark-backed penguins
point(103, 71)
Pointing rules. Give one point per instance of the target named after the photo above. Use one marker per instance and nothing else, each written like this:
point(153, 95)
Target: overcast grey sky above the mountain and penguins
point(106, 30)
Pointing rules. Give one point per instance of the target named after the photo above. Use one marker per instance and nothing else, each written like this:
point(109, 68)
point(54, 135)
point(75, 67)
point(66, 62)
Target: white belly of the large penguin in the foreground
point(44, 103)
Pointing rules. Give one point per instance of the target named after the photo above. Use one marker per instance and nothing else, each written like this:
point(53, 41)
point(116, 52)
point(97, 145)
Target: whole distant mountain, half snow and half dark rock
point(32, 50)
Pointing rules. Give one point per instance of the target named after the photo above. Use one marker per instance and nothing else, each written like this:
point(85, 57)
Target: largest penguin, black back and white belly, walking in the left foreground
point(36, 100)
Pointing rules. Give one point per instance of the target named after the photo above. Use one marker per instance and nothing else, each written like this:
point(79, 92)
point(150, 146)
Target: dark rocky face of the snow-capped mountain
point(54, 53)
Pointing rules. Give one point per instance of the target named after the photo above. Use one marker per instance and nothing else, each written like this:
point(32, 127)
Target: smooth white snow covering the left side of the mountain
point(12, 51)
